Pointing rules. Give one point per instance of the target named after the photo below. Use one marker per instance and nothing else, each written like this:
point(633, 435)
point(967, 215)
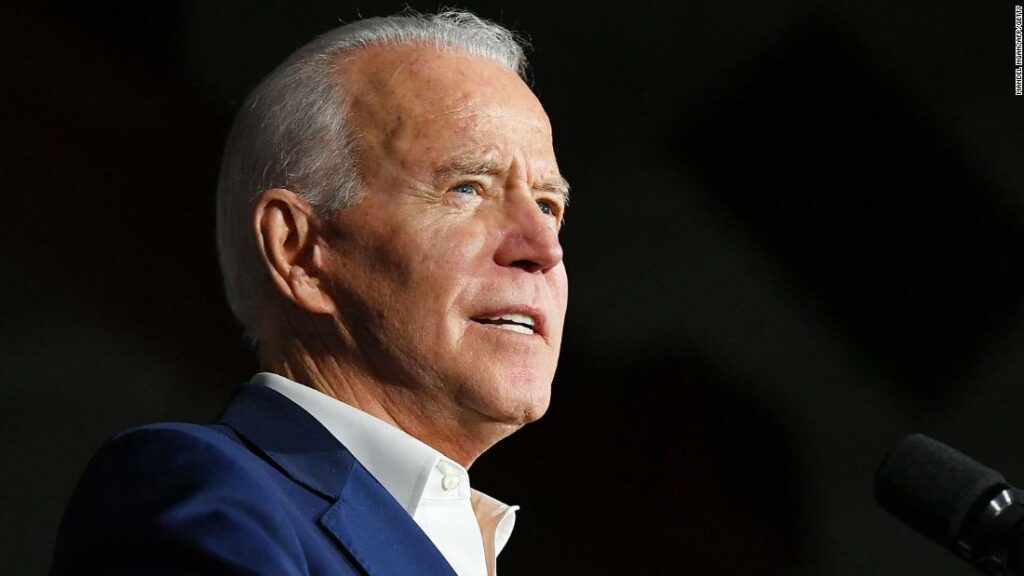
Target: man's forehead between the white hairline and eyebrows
point(433, 100)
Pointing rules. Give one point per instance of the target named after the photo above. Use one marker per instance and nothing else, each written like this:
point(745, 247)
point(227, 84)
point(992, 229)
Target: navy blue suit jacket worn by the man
point(266, 490)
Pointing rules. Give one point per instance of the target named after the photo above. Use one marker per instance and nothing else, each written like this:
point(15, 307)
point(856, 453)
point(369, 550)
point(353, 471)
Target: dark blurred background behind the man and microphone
point(796, 235)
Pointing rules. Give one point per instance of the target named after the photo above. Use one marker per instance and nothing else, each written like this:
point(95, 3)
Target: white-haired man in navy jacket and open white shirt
point(389, 217)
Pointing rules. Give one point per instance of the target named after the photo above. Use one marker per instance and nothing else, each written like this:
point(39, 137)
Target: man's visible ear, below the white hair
point(286, 234)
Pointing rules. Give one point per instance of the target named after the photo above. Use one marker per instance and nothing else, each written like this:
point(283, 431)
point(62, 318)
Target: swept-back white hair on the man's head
point(292, 133)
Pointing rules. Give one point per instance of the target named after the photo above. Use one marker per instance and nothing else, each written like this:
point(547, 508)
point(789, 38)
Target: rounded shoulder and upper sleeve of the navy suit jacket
point(176, 493)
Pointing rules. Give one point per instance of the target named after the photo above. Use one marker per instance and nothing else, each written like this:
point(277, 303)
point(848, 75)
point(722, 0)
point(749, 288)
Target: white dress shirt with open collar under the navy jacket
point(468, 527)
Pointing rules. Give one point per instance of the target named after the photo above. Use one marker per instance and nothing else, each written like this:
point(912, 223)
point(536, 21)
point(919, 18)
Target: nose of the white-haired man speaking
point(530, 238)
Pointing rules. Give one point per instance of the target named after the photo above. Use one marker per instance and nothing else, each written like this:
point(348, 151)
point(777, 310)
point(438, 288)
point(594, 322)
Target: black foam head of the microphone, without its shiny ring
point(932, 487)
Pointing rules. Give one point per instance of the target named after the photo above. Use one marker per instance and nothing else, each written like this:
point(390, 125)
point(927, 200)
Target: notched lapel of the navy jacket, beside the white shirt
point(365, 519)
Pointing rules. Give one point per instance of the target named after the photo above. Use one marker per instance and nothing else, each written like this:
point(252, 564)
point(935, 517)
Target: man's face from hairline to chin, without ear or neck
point(449, 275)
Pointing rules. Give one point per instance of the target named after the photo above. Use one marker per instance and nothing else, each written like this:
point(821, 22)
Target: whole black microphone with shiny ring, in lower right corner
point(963, 506)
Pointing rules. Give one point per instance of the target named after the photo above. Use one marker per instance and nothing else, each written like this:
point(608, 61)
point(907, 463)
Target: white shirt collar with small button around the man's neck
point(407, 468)
